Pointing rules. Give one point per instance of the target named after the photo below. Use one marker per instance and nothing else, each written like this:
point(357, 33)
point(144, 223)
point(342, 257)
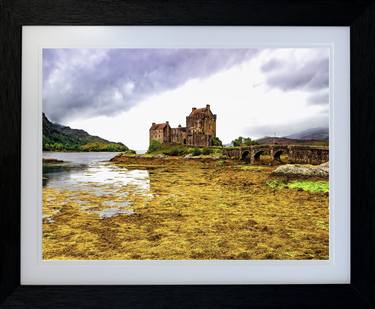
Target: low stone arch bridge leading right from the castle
point(296, 153)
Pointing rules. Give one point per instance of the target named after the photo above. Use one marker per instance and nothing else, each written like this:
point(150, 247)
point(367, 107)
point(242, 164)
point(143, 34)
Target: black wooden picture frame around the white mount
point(358, 14)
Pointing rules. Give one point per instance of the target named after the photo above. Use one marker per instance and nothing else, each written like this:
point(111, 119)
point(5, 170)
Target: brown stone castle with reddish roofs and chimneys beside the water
point(199, 131)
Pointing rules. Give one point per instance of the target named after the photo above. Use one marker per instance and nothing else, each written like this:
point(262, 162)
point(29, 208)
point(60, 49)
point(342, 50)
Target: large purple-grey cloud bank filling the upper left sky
point(91, 82)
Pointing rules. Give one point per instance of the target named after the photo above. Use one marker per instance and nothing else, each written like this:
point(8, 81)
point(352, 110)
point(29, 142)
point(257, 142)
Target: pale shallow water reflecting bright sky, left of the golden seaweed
point(95, 185)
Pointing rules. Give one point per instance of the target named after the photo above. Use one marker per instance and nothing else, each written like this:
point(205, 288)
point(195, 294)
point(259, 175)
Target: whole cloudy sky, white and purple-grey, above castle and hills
point(118, 93)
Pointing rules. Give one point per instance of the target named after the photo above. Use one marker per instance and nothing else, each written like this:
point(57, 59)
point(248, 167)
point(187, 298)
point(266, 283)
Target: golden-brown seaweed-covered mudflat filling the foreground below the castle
point(175, 208)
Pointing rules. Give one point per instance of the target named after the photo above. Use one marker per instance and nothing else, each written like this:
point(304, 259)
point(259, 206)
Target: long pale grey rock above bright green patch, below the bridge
point(298, 170)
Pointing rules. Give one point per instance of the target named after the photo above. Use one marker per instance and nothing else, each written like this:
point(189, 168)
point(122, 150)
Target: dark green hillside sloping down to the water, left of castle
point(57, 137)
